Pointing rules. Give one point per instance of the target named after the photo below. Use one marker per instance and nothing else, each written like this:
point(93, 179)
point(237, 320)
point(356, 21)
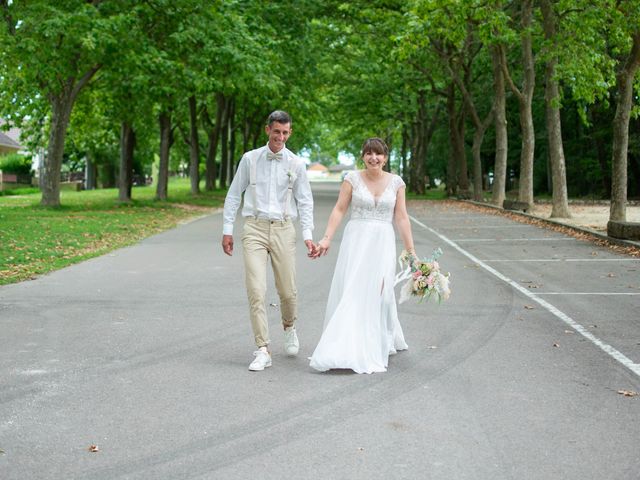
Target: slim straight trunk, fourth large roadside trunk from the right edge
point(500, 113)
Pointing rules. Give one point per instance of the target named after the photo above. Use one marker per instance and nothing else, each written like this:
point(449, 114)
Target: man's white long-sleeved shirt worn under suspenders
point(272, 183)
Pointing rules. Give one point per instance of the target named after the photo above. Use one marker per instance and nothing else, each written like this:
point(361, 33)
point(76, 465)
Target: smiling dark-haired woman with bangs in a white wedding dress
point(361, 326)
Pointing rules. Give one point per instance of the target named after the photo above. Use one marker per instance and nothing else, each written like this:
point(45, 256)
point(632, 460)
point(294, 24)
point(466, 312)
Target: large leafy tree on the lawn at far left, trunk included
point(53, 50)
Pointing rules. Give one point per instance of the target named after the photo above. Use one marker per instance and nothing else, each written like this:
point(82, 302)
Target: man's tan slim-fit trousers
point(264, 239)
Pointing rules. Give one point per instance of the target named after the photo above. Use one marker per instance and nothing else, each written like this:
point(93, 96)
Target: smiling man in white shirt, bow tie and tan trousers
point(276, 191)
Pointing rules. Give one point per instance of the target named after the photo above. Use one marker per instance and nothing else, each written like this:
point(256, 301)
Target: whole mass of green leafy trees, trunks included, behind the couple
point(522, 96)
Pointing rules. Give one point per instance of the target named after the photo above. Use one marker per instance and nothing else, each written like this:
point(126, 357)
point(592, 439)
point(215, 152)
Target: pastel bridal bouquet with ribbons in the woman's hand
point(424, 278)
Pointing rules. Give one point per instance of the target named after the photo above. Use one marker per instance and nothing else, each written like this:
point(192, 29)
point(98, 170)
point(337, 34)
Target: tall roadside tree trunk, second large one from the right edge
point(560, 198)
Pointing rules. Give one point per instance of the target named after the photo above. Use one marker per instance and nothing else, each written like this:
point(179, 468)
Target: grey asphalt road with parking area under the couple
point(144, 353)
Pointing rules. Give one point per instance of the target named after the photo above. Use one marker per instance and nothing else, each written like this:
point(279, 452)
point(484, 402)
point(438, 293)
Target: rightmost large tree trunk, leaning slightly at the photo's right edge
point(625, 79)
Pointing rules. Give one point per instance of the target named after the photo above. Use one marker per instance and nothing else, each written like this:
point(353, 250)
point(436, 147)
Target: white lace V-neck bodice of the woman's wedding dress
point(363, 203)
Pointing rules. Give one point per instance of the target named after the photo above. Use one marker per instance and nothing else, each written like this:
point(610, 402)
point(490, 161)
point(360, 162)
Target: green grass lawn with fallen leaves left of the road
point(36, 240)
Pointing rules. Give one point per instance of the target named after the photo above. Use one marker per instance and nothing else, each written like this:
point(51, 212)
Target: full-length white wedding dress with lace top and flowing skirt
point(361, 326)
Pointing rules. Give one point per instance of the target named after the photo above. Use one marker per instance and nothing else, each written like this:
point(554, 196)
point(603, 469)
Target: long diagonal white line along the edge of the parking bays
point(608, 349)
